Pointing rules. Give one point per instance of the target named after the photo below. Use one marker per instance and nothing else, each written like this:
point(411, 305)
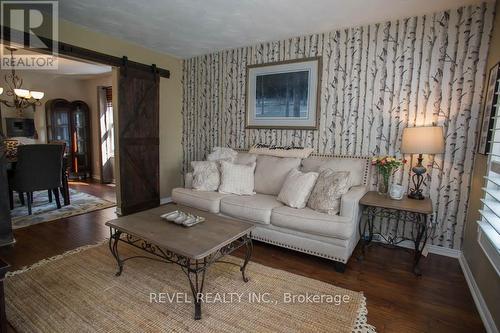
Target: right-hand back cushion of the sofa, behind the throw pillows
point(356, 166)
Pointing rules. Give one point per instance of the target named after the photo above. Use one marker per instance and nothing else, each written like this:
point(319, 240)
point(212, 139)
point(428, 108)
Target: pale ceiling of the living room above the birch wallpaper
point(186, 28)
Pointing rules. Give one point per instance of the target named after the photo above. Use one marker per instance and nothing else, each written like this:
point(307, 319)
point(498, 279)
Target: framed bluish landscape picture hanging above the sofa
point(284, 94)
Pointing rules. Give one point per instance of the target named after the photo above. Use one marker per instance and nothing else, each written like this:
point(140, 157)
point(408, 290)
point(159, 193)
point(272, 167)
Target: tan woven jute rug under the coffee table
point(79, 292)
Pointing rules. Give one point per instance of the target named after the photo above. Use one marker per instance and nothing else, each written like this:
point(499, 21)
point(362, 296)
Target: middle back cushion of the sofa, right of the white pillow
point(271, 172)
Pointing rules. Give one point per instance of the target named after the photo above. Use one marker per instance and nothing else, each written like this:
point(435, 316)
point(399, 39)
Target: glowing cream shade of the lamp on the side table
point(423, 140)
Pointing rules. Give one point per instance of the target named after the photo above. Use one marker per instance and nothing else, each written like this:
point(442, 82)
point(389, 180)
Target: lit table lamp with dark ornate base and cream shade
point(421, 140)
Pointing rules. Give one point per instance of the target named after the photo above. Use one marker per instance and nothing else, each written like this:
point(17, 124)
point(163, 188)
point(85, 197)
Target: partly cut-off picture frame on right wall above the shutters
point(489, 111)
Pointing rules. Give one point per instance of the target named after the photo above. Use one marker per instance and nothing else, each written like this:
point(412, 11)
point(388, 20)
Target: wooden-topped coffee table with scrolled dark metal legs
point(194, 249)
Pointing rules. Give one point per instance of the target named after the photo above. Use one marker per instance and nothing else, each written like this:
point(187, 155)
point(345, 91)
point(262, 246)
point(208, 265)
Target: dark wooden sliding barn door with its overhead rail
point(135, 124)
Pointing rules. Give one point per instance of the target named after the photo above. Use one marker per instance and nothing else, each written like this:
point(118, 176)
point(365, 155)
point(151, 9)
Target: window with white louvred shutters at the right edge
point(489, 225)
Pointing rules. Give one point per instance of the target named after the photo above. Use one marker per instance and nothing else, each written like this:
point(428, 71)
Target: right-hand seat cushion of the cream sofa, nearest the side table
point(312, 222)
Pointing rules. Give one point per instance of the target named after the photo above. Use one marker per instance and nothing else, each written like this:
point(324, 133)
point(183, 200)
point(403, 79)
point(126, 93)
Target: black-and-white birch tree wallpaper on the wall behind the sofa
point(376, 80)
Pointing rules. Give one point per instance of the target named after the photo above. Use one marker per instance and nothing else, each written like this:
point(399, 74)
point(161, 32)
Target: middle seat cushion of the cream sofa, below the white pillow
point(255, 208)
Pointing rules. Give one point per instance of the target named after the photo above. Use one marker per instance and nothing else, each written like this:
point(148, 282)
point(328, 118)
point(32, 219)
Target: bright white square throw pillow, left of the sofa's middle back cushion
point(237, 178)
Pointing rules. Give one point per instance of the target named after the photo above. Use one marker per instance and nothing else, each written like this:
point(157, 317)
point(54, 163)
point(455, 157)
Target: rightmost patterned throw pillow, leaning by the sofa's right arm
point(330, 187)
